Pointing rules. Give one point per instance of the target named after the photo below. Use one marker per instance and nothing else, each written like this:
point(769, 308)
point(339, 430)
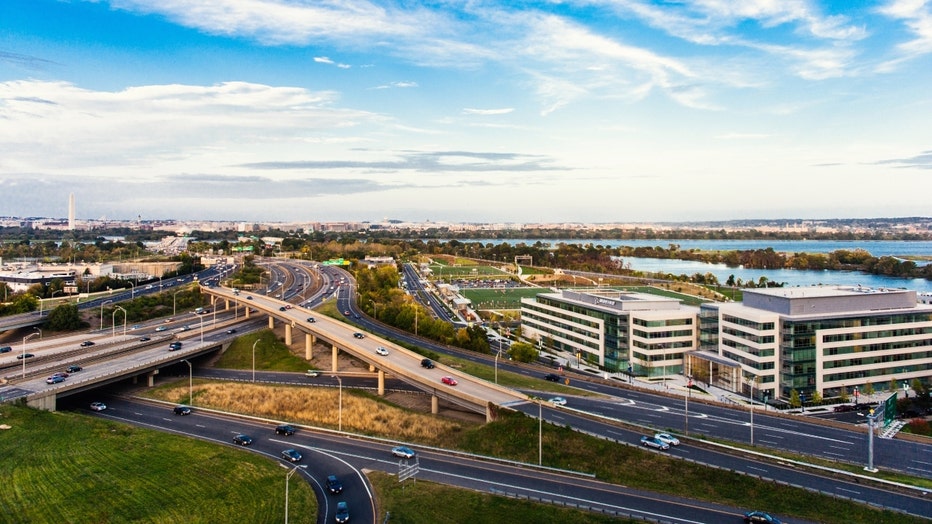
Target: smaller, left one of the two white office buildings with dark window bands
point(617, 331)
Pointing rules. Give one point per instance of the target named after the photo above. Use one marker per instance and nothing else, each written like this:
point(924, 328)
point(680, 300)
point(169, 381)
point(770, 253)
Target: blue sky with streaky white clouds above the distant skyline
point(588, 111)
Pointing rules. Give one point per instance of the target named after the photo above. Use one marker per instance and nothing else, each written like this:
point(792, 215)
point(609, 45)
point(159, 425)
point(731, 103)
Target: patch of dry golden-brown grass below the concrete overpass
point(316, 407)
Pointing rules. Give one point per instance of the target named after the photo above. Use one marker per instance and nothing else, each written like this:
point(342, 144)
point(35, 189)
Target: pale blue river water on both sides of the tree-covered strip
point(791, 277)
